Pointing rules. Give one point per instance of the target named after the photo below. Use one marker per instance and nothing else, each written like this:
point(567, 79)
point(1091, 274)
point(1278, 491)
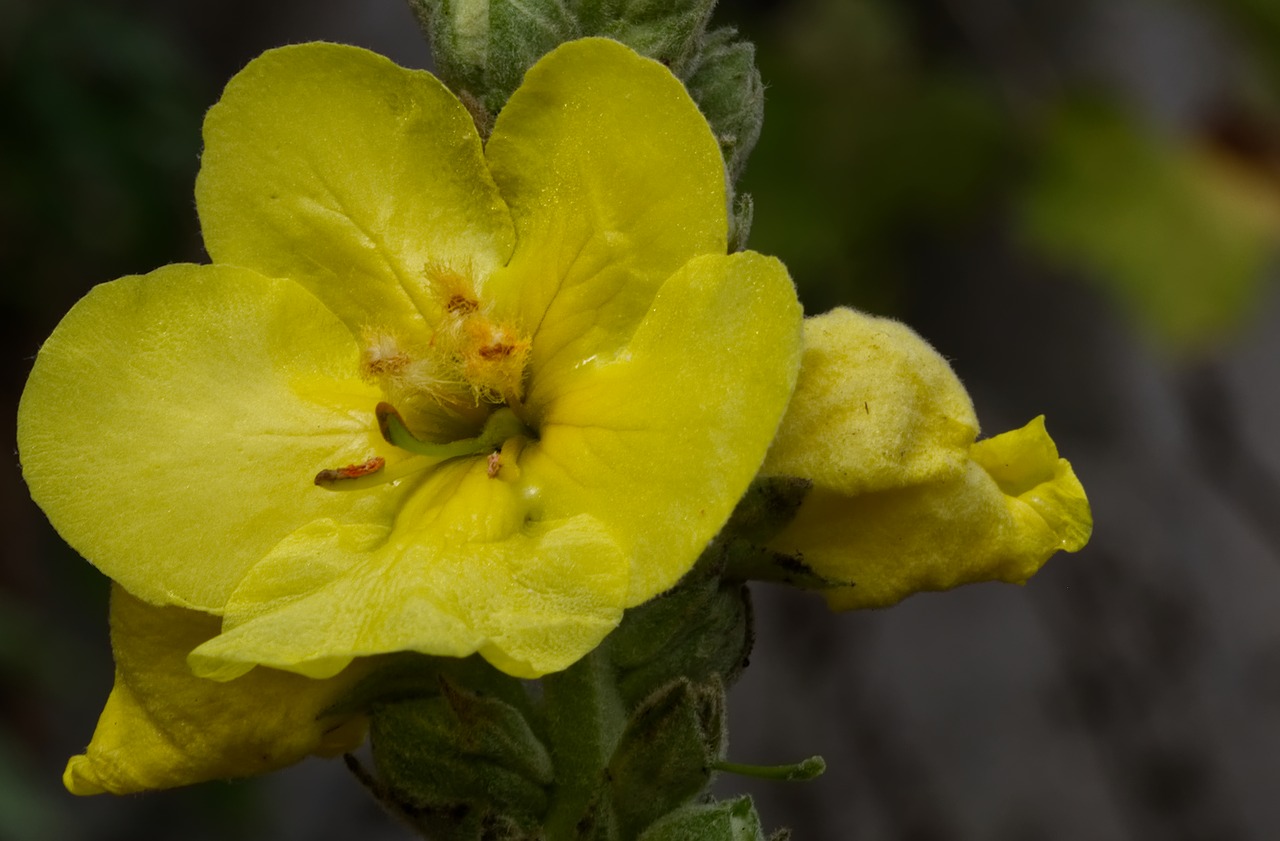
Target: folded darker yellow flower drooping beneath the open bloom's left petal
point(164, 728)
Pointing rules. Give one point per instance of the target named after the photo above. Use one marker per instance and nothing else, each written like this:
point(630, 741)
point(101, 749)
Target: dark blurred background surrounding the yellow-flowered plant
point(1077, 202)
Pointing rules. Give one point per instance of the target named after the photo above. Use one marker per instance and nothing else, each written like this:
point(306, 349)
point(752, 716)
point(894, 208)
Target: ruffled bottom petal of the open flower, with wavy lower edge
point(469, 568)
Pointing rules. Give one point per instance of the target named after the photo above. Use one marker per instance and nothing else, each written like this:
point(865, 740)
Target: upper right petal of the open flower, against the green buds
point(615, 181)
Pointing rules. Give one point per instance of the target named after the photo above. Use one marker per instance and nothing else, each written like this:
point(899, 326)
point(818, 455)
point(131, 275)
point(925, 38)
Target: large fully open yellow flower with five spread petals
point(433, 395)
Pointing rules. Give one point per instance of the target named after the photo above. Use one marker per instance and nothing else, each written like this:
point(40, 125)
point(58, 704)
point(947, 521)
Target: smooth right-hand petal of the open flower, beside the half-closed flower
point(662, 440)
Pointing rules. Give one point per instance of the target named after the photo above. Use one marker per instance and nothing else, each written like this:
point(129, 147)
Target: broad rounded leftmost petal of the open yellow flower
point(173, 426)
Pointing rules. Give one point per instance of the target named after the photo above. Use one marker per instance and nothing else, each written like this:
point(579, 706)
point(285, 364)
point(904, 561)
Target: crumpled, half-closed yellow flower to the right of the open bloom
point(903, 499)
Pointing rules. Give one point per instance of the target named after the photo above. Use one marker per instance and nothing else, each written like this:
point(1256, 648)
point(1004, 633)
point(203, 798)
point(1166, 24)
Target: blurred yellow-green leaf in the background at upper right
point(1160, 223)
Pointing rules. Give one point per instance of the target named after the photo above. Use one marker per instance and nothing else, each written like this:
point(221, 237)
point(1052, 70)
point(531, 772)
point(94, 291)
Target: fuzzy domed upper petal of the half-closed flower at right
point(875, 409)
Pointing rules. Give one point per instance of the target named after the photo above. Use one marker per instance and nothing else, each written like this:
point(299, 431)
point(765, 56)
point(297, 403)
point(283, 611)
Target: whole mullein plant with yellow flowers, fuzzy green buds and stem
point(474, 431)
